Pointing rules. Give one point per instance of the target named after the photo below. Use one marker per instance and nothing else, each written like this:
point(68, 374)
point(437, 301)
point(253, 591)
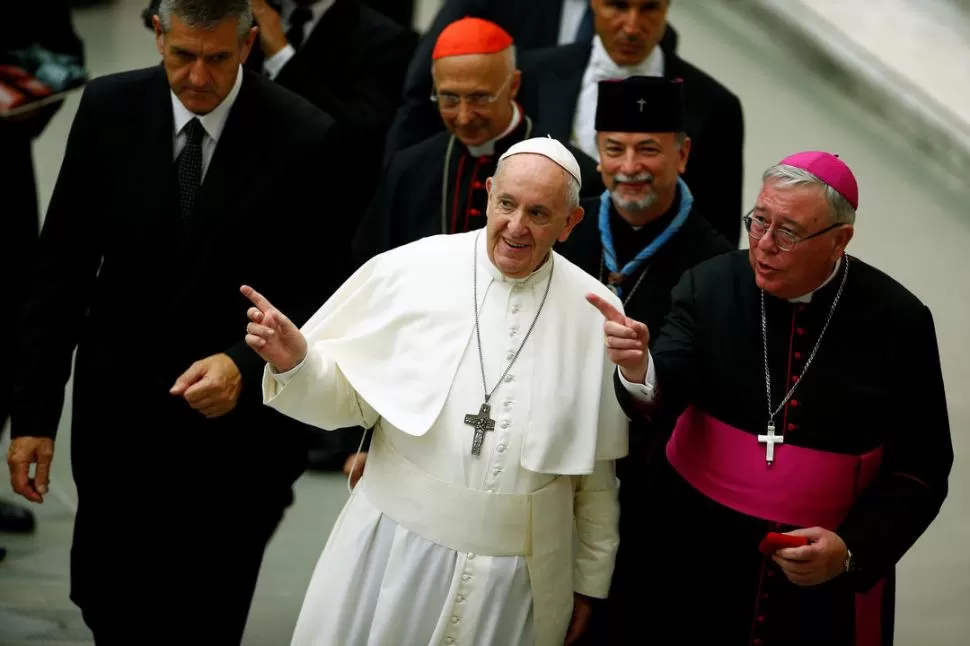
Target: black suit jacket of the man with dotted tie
point(142, 295)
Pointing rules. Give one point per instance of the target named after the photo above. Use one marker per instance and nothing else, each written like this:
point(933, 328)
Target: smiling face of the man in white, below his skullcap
point(529, 210)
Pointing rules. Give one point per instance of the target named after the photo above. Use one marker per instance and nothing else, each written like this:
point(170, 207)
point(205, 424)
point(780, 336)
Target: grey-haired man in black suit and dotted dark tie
point(180, 183)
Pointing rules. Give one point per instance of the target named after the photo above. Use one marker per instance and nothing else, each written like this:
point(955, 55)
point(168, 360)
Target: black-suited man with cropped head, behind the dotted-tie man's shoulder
point(349, 61)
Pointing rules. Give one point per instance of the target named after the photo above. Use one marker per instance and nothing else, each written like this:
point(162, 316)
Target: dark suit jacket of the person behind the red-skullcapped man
point(533, 25)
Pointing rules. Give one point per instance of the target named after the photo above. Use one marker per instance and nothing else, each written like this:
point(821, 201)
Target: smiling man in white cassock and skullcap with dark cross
point(487, 514)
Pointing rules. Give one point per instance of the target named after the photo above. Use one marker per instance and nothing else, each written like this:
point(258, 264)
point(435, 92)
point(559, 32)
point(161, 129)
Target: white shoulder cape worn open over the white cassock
point(399, 326)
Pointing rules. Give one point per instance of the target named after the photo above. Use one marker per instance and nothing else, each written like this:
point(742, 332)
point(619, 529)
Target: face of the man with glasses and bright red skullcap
point(475, 94)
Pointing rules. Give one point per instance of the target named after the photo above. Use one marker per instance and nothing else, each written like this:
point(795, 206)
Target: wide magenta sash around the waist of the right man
point(803, 488)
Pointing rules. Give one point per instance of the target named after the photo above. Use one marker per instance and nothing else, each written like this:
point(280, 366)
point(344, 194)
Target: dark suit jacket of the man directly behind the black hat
point(552, 80)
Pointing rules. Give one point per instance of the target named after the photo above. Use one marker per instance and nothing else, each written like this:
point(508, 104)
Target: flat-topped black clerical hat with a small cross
point(640, 104)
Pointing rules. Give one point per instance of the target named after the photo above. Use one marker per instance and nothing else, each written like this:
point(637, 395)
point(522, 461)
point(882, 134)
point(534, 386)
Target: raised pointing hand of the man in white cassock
point(273, 336)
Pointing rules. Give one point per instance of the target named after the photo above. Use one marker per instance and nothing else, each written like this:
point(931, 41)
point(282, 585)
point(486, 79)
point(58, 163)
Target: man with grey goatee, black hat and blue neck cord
point(639, 237)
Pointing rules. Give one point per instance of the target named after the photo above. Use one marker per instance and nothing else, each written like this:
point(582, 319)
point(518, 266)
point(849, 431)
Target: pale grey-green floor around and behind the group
point(911, 223)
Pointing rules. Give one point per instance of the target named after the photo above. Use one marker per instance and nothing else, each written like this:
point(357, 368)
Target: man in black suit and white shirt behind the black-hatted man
point(560, 85)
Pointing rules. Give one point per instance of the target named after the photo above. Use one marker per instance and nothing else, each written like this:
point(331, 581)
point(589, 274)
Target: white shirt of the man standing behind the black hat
point(600, 68)
